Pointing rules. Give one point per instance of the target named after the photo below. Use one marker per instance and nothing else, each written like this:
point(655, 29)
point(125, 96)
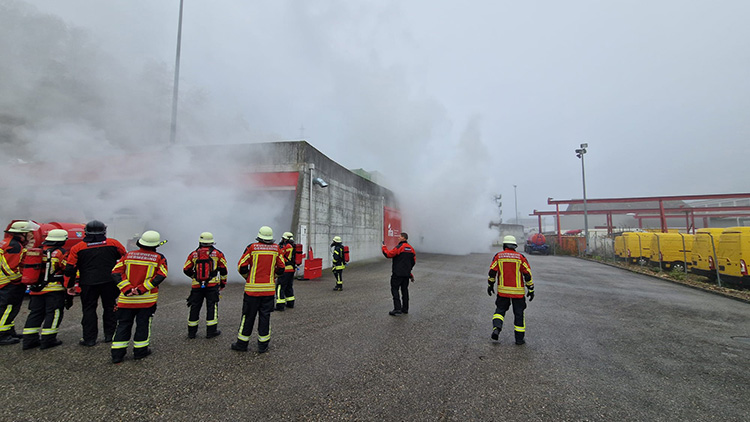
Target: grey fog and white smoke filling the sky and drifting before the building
point(454, 103)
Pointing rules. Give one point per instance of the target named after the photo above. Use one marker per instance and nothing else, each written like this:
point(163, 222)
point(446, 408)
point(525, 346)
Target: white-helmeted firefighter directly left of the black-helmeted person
point(47, 295)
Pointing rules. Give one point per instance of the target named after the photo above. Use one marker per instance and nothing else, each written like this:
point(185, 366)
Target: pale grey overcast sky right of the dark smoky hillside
point(488, 93)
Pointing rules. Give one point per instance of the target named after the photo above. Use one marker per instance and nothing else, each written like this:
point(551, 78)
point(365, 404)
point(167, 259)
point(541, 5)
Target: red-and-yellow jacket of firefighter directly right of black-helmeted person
point(142, 270)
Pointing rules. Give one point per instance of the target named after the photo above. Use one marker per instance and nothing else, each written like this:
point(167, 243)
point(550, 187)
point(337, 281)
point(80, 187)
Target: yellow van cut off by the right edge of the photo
point(733, 255)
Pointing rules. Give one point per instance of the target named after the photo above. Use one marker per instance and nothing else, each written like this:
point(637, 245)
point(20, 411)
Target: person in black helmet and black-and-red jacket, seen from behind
point(93, 259)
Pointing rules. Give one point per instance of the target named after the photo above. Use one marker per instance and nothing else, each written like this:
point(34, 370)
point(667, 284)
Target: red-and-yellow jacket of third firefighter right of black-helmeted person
point(259, 264)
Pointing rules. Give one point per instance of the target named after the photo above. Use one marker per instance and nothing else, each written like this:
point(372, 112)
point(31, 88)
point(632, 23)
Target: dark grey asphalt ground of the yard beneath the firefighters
point(603, 344)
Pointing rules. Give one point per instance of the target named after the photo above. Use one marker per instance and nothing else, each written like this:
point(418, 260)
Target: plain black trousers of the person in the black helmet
point(90, 295)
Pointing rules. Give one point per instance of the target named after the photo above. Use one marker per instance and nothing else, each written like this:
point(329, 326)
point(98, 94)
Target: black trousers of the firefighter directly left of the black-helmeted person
point(45, 315)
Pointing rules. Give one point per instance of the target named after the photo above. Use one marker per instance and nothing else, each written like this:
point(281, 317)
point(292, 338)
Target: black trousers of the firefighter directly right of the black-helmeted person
point(142, 338)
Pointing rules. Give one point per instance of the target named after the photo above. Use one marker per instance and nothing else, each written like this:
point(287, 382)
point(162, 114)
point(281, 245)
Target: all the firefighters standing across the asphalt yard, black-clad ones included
point(127, 284)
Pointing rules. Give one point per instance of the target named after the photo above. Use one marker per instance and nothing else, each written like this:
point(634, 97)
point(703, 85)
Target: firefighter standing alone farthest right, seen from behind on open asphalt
point(512, 271)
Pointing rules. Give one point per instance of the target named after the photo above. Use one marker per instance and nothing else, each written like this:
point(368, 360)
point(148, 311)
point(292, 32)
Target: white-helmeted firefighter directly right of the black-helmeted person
point(137, 276)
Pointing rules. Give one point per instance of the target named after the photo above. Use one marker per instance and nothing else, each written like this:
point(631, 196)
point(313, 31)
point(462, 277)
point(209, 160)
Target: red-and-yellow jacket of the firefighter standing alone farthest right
point(513, 272)
